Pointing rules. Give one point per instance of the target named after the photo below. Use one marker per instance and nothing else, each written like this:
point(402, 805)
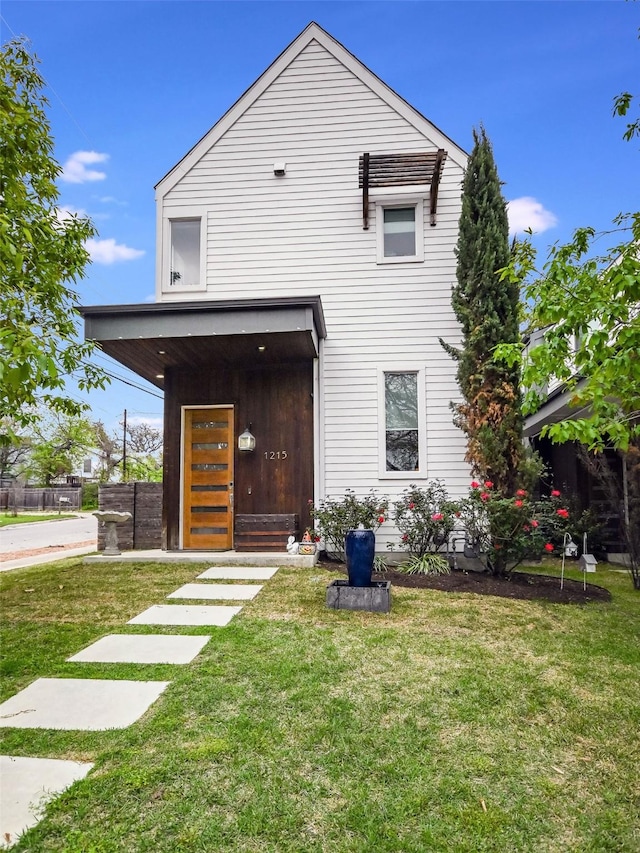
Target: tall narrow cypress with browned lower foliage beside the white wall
point(487, 309)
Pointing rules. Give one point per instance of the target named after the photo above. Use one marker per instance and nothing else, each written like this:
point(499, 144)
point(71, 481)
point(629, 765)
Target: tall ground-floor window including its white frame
point(402, 435)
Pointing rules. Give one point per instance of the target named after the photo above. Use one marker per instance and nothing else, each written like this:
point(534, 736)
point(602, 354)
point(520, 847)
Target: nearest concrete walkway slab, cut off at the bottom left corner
point(27, 785)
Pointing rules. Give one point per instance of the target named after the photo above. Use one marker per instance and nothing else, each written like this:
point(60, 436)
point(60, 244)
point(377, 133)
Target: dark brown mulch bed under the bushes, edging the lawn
point(519, 585)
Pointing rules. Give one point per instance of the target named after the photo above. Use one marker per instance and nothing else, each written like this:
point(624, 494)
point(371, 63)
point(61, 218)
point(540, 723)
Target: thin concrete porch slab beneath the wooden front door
point(220, 558)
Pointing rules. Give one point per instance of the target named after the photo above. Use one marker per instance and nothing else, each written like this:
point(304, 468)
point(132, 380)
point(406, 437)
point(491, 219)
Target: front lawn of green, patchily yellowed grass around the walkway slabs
point(454, 723)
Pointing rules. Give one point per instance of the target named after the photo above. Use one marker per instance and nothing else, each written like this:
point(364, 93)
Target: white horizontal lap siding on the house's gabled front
point(302, 234)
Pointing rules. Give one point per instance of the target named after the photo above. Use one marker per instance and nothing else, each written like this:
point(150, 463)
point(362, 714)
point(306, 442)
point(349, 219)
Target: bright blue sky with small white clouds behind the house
point(134, 84)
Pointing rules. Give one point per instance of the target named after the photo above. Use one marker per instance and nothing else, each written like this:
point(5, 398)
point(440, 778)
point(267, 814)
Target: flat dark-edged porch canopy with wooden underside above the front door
point(148, 339)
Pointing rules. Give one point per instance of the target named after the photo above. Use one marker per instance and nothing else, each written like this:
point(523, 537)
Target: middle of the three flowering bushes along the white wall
point(425, 518)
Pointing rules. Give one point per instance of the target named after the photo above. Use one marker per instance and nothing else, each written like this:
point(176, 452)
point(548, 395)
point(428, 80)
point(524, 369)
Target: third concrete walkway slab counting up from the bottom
point(142, 648)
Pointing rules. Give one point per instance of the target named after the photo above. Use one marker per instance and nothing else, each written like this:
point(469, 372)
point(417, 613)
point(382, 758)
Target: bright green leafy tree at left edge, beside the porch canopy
point(40, 252)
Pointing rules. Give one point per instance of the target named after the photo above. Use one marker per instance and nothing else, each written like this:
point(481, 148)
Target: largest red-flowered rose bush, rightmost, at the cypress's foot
point(503, 531)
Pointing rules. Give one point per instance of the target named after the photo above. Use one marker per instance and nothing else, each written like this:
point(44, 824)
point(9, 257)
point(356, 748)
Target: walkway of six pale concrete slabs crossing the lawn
point(28, 784)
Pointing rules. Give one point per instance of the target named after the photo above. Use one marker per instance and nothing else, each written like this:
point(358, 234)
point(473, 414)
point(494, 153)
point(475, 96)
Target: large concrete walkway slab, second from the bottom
point(89, 704)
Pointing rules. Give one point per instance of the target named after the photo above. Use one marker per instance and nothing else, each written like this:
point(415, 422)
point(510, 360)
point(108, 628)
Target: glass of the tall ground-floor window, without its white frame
point(401, 422)
